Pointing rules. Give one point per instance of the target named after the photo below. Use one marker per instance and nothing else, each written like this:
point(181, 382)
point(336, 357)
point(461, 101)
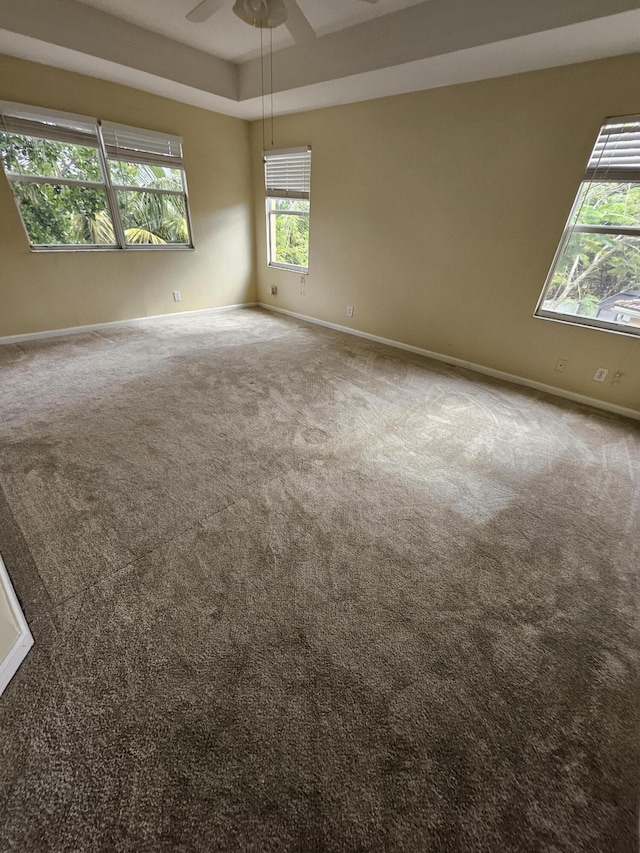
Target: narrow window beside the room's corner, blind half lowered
point(287, 187)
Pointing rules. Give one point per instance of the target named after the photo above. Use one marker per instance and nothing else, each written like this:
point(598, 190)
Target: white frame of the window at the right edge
point(595, 173)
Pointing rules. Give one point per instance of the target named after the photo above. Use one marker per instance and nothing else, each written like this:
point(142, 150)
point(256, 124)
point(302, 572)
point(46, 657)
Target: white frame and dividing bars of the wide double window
point(60, 123)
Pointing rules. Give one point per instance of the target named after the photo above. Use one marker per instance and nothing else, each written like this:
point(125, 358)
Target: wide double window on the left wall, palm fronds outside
point(80, 184)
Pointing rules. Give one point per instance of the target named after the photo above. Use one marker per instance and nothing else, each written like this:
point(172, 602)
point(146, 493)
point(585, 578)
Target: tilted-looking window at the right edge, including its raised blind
point(595, 276)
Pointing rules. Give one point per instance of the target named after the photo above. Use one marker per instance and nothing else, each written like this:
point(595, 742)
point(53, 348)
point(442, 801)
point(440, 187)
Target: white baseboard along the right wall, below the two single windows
point(468, 365)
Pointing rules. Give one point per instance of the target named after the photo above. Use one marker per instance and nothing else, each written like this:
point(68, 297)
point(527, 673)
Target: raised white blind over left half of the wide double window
point(59, 127)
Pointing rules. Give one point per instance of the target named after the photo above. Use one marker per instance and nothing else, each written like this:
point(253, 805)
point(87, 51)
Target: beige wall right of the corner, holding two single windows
point(437, 215)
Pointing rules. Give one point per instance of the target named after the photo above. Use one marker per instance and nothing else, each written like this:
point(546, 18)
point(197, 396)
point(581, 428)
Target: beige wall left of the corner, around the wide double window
point(41, 291)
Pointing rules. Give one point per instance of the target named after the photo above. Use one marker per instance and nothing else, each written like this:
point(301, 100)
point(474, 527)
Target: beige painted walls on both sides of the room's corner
point(435, 214)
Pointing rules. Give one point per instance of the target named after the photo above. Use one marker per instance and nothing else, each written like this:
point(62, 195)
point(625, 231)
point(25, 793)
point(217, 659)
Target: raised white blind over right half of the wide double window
point(133, 145)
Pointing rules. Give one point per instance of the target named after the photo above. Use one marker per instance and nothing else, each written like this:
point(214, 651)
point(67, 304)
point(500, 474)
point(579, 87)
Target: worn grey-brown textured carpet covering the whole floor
point(295, 591)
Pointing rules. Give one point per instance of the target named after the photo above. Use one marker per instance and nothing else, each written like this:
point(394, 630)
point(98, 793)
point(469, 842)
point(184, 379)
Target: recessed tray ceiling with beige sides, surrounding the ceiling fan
point(363, 50)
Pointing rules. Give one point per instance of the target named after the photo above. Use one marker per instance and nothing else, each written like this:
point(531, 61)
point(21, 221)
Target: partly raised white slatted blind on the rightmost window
point(616, 155)
